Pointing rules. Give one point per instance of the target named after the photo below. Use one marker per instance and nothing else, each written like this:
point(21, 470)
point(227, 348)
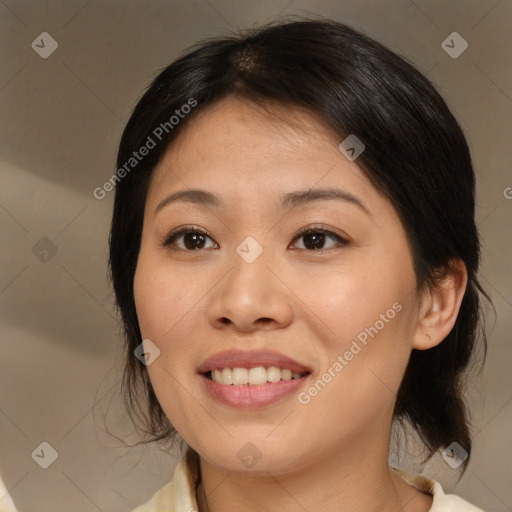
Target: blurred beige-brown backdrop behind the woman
point(61, 121)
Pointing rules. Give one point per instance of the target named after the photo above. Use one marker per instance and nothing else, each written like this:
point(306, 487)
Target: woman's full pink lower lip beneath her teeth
point(247, 396)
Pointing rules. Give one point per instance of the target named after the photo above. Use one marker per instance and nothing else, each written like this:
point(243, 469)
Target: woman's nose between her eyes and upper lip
point(250, 297)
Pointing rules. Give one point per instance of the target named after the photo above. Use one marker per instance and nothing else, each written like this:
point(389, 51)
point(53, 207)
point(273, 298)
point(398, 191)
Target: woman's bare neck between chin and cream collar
point(356, 476)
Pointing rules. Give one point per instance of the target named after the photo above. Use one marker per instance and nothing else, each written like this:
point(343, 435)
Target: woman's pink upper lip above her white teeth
point(250, 359)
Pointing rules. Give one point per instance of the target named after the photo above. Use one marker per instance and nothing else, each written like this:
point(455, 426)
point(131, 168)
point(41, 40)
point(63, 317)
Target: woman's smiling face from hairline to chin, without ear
point(339, 301)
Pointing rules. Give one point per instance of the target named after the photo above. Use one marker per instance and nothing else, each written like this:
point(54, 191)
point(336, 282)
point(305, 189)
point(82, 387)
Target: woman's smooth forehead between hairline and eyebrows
point(240, 150)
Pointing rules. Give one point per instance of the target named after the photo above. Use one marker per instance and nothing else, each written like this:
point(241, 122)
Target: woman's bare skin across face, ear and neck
point(330, 454)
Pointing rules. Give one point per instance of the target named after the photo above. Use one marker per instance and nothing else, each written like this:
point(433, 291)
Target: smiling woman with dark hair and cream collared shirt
point(294, 254)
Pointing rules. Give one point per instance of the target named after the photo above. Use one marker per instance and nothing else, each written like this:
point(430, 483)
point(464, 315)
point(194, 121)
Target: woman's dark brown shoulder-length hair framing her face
point(415, 153)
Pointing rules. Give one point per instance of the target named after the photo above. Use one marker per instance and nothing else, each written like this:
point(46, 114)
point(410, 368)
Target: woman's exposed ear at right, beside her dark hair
point(440, 306)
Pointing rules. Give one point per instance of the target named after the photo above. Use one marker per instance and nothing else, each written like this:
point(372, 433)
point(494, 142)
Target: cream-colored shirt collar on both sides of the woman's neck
point(180, 494)
